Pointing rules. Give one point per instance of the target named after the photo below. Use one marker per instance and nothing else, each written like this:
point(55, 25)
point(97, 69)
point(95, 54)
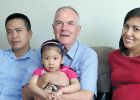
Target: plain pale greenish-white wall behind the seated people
point(101, 20)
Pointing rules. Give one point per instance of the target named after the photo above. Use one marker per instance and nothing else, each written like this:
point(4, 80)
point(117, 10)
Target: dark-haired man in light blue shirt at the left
point(15, 61)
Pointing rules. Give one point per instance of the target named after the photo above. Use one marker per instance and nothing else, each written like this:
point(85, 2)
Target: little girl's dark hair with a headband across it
point(52, 43)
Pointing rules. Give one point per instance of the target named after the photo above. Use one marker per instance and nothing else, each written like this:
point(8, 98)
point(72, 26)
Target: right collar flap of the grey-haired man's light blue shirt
point(72, 51)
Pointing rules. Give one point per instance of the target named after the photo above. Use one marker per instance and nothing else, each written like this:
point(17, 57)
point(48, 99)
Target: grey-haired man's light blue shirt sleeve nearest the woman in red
point(89, 73)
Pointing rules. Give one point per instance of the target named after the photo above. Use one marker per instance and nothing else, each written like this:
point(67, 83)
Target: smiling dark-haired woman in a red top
point(125, 62)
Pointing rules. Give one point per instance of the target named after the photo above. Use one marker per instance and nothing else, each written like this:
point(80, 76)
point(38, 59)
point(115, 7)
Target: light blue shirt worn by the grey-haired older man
point(85, 62)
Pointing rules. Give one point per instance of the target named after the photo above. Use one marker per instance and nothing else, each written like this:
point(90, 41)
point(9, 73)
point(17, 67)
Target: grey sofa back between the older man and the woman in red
point(103, 82)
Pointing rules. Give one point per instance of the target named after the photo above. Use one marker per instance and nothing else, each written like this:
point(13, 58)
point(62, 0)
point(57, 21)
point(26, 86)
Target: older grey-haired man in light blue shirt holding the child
point(80, 57)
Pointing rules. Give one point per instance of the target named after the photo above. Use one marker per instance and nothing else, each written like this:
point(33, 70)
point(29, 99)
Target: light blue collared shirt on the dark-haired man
point(12, 72)
